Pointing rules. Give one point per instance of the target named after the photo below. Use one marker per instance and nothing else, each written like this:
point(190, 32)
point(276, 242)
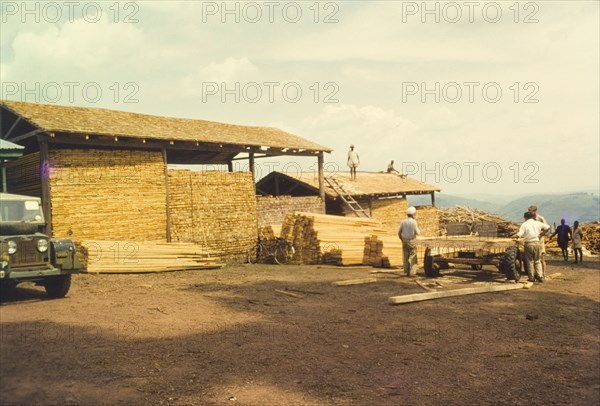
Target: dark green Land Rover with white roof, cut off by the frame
point(27, 253)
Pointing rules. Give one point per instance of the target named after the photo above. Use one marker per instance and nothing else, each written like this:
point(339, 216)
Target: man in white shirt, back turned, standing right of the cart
point(531, 231)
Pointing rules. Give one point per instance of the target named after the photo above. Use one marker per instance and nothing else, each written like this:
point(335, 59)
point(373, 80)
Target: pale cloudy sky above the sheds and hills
point(476, 97)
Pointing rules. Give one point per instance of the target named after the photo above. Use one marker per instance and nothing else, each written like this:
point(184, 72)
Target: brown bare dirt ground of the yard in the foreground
point(226, 337)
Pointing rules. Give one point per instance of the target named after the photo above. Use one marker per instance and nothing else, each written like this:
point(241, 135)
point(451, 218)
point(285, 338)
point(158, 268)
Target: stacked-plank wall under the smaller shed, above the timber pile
point(273, 209)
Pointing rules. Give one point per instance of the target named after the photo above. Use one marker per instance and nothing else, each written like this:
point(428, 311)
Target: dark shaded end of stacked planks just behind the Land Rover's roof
point(23, 176)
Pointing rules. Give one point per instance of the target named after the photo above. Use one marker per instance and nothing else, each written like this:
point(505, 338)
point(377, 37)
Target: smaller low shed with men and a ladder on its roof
point(382, 195)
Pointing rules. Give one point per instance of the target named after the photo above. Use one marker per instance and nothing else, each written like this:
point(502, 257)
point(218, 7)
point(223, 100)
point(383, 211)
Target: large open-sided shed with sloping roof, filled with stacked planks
point(104, 174)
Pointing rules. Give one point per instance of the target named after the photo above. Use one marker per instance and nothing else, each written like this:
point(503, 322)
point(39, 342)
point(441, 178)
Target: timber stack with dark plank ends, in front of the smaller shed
point(321, 238)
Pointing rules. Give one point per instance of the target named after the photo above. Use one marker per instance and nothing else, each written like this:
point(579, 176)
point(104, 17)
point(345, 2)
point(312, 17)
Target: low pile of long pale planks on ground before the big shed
point(113, 256)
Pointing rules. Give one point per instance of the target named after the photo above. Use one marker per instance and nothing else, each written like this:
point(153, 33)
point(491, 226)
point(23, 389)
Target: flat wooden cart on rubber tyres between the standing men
point(503, 253)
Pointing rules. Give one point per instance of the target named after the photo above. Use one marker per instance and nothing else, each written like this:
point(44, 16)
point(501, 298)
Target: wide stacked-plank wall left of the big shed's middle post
point(107, 194)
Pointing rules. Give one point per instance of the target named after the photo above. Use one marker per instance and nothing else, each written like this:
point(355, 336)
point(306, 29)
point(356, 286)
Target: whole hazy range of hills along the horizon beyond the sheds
point(584, 206)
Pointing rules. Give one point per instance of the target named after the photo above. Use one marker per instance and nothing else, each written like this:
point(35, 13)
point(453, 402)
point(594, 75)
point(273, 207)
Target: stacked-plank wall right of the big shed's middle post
point(215, 209)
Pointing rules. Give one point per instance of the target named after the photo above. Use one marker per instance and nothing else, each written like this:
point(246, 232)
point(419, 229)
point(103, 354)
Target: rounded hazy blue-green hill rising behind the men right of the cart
point(584, 207)
